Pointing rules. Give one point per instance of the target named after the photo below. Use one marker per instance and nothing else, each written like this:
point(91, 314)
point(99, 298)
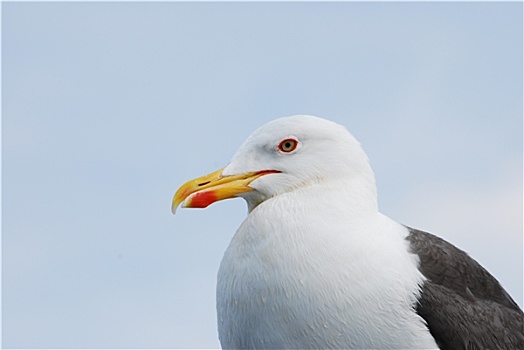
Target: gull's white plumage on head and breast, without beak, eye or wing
point(315, 265)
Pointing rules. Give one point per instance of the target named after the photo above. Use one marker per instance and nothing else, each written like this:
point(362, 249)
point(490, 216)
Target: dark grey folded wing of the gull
point(464, 306)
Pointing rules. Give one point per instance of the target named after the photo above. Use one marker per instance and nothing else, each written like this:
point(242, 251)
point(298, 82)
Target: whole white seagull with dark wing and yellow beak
point(315, 265)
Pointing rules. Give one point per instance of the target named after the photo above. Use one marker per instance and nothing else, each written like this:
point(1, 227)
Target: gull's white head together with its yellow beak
point(283, 155)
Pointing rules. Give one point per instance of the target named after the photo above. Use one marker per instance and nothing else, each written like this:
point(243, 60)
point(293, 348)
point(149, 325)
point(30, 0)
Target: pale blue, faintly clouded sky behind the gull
point(109, 107)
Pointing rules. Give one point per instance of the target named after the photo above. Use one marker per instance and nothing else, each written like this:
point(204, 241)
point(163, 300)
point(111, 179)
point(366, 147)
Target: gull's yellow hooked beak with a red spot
point(205, 190)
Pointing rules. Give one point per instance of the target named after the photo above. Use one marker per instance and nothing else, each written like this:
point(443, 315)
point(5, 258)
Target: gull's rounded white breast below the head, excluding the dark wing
point(290, 281)
